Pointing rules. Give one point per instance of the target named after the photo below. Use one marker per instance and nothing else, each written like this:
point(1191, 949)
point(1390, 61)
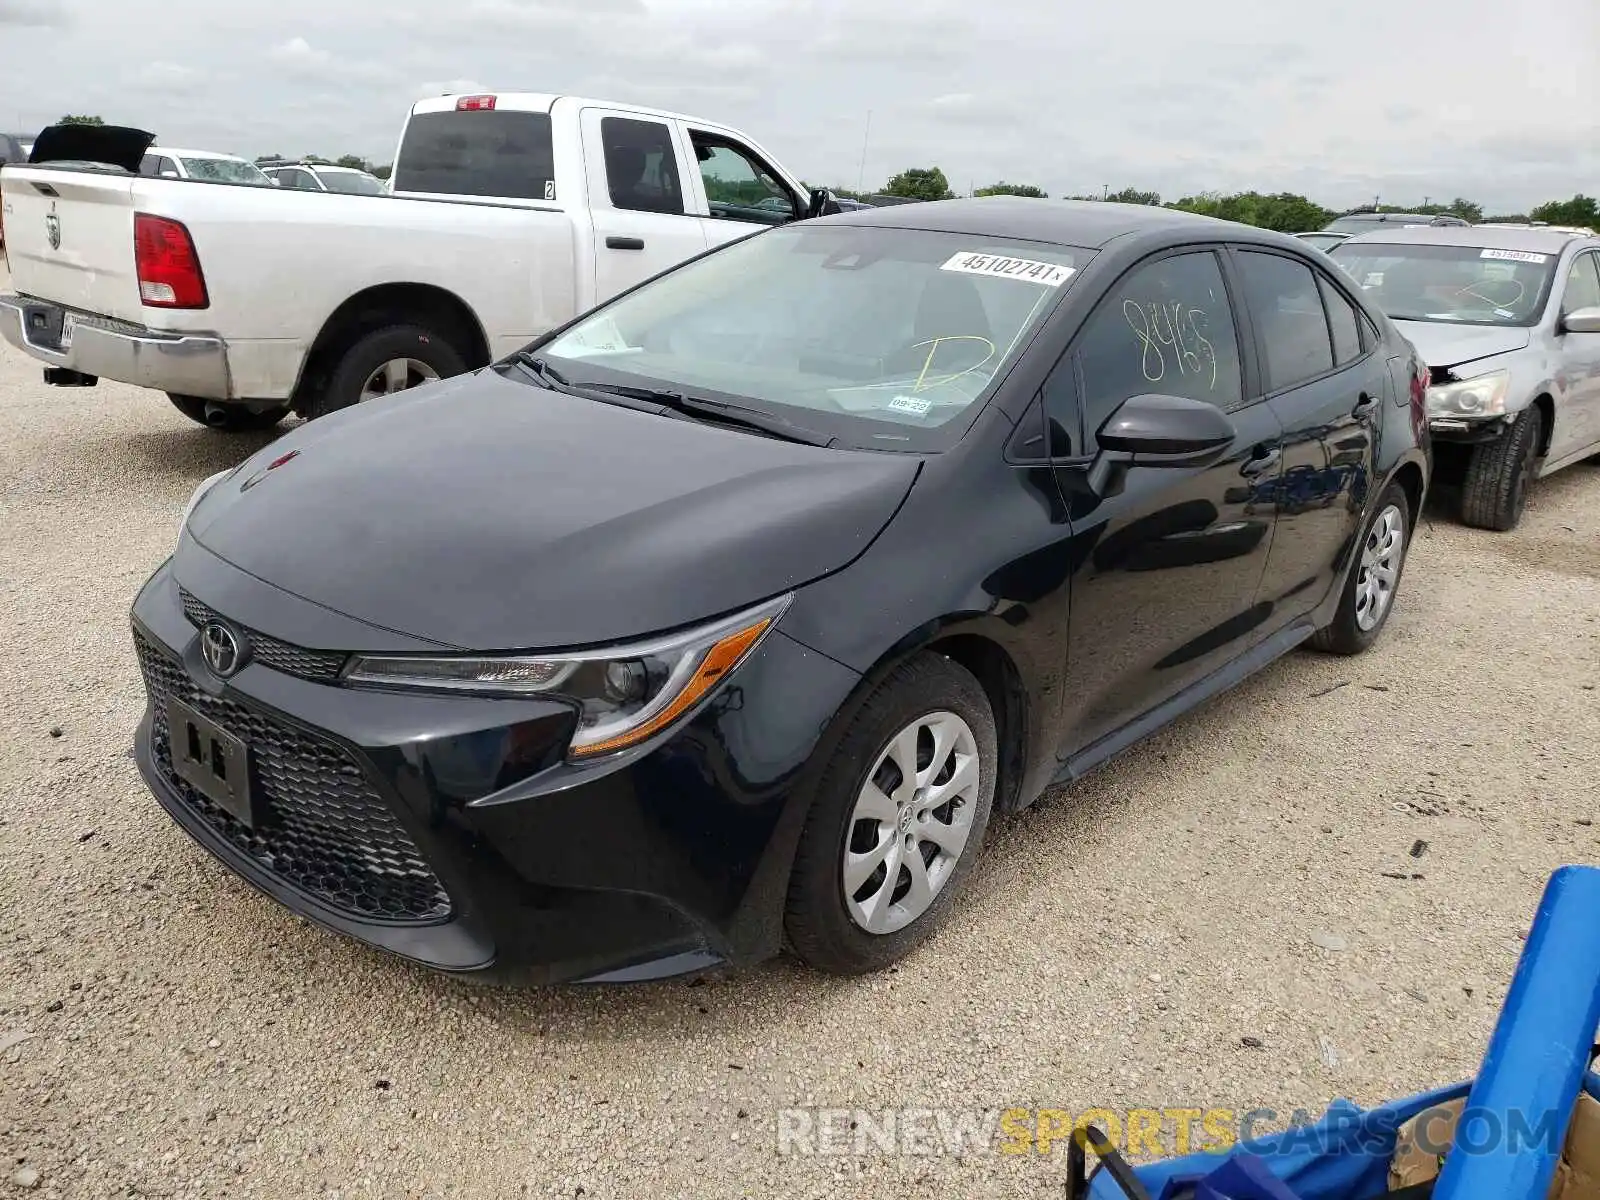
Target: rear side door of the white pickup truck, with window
point(642, 223)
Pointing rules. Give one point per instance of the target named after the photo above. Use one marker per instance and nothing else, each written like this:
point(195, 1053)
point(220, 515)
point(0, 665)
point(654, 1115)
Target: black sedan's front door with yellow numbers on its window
point(1172, 559)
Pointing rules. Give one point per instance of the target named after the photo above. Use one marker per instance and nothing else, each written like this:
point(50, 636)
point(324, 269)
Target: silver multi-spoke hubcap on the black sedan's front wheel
point(911, 823)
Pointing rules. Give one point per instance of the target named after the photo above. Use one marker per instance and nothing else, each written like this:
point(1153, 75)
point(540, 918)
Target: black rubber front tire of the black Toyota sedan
point(820, 922)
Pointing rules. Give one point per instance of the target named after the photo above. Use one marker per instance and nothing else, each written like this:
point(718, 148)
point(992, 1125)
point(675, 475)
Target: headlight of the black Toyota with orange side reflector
point(625, 694)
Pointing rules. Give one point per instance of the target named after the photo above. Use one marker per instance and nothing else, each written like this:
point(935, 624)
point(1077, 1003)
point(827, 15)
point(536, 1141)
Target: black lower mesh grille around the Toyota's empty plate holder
point(322, 826)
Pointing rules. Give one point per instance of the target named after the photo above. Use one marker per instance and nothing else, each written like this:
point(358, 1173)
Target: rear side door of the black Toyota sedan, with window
point(1327, 383)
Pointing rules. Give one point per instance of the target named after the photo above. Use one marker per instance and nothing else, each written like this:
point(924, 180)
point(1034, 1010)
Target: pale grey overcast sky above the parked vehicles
point(1402, 98)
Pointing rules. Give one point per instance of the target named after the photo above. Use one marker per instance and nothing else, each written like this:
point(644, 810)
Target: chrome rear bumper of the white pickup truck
point(110, 350)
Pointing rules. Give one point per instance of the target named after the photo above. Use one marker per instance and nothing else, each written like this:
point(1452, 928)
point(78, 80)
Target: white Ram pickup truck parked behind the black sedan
point(511, 215)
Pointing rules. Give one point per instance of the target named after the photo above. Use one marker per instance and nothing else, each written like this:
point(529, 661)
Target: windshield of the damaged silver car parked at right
point(1473, 286)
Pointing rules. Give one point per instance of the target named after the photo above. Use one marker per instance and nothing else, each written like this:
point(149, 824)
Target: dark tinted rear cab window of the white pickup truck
point(487, 153)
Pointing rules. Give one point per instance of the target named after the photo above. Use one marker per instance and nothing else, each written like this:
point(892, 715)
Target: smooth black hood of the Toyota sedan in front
point(489, 514)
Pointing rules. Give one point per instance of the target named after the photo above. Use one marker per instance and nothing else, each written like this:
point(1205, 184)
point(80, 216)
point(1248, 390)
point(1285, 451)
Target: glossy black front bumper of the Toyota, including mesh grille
point(450, 830)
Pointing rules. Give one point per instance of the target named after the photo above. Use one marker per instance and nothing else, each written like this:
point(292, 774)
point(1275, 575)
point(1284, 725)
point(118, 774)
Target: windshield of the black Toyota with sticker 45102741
point(881, 338)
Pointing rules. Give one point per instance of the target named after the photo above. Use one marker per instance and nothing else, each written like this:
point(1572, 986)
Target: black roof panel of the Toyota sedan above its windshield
point(1070, 223)
